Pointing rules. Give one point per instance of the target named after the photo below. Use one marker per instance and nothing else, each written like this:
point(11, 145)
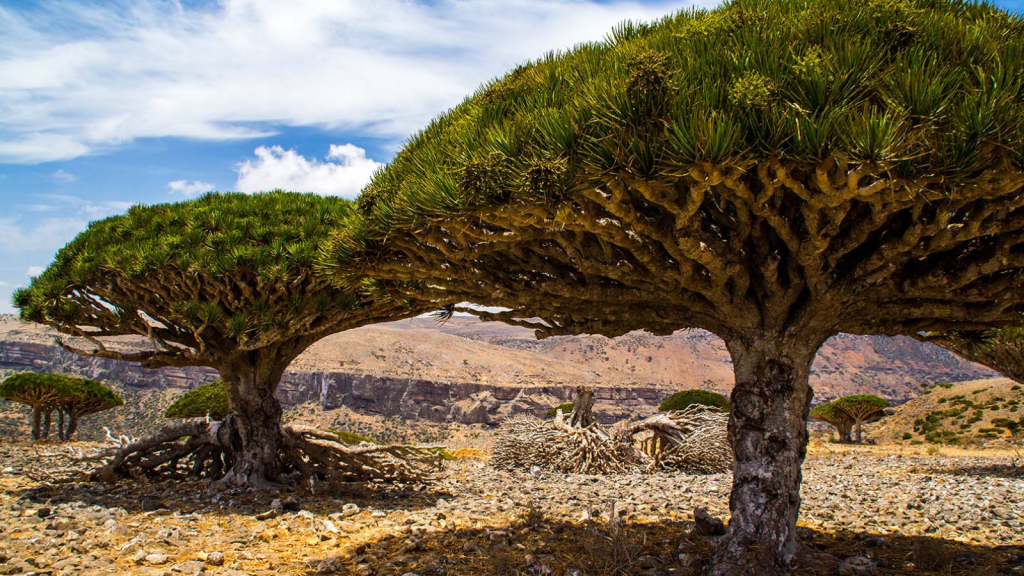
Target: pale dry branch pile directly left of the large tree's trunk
point(694, 440)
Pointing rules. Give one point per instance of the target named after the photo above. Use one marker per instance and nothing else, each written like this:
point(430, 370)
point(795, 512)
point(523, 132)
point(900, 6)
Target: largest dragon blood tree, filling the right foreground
point(775, 173)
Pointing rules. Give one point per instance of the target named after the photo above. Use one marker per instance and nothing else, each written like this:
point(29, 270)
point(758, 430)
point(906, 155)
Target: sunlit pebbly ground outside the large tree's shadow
point(944, 498)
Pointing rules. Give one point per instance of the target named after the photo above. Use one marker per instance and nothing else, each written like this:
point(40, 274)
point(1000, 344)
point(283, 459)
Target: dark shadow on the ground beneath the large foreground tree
point(536, 546)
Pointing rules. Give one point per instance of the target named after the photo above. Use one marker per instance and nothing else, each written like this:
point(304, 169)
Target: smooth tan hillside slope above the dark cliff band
point(467, 351)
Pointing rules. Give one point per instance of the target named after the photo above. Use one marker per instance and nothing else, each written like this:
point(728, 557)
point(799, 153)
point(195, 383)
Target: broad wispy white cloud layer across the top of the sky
point(78, 78)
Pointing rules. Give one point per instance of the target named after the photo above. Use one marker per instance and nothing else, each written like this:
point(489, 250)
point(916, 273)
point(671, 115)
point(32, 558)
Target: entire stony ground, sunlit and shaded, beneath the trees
point(905, 514)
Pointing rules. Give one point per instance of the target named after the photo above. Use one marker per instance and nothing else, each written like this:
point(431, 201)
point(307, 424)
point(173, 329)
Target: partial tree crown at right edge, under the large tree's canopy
point(1002, 350)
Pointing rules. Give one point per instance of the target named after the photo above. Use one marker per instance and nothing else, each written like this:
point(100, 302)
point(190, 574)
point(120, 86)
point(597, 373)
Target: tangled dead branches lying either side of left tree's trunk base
point(203, 449)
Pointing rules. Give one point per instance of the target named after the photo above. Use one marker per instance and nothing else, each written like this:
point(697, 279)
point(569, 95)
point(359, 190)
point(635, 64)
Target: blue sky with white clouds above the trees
point(105, 105)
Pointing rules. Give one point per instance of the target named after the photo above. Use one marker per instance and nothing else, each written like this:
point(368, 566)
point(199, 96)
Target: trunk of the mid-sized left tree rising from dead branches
point(250, 383)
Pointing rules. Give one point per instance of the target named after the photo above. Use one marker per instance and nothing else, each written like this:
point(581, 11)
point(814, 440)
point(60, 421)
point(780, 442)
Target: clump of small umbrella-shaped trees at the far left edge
point(71, 398)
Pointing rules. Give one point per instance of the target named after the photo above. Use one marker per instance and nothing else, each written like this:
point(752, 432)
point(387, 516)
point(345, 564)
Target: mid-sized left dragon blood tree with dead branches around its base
point(225, 281)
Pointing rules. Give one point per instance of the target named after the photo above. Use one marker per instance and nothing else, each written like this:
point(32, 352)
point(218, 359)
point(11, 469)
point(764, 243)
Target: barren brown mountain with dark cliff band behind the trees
point(474, 373)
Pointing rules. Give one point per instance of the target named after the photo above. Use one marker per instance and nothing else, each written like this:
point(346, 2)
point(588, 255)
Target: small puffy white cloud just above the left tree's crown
point(346, 171)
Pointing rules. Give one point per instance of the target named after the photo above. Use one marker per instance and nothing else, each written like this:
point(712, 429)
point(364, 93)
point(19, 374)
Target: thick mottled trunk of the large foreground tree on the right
point(769, 434)
